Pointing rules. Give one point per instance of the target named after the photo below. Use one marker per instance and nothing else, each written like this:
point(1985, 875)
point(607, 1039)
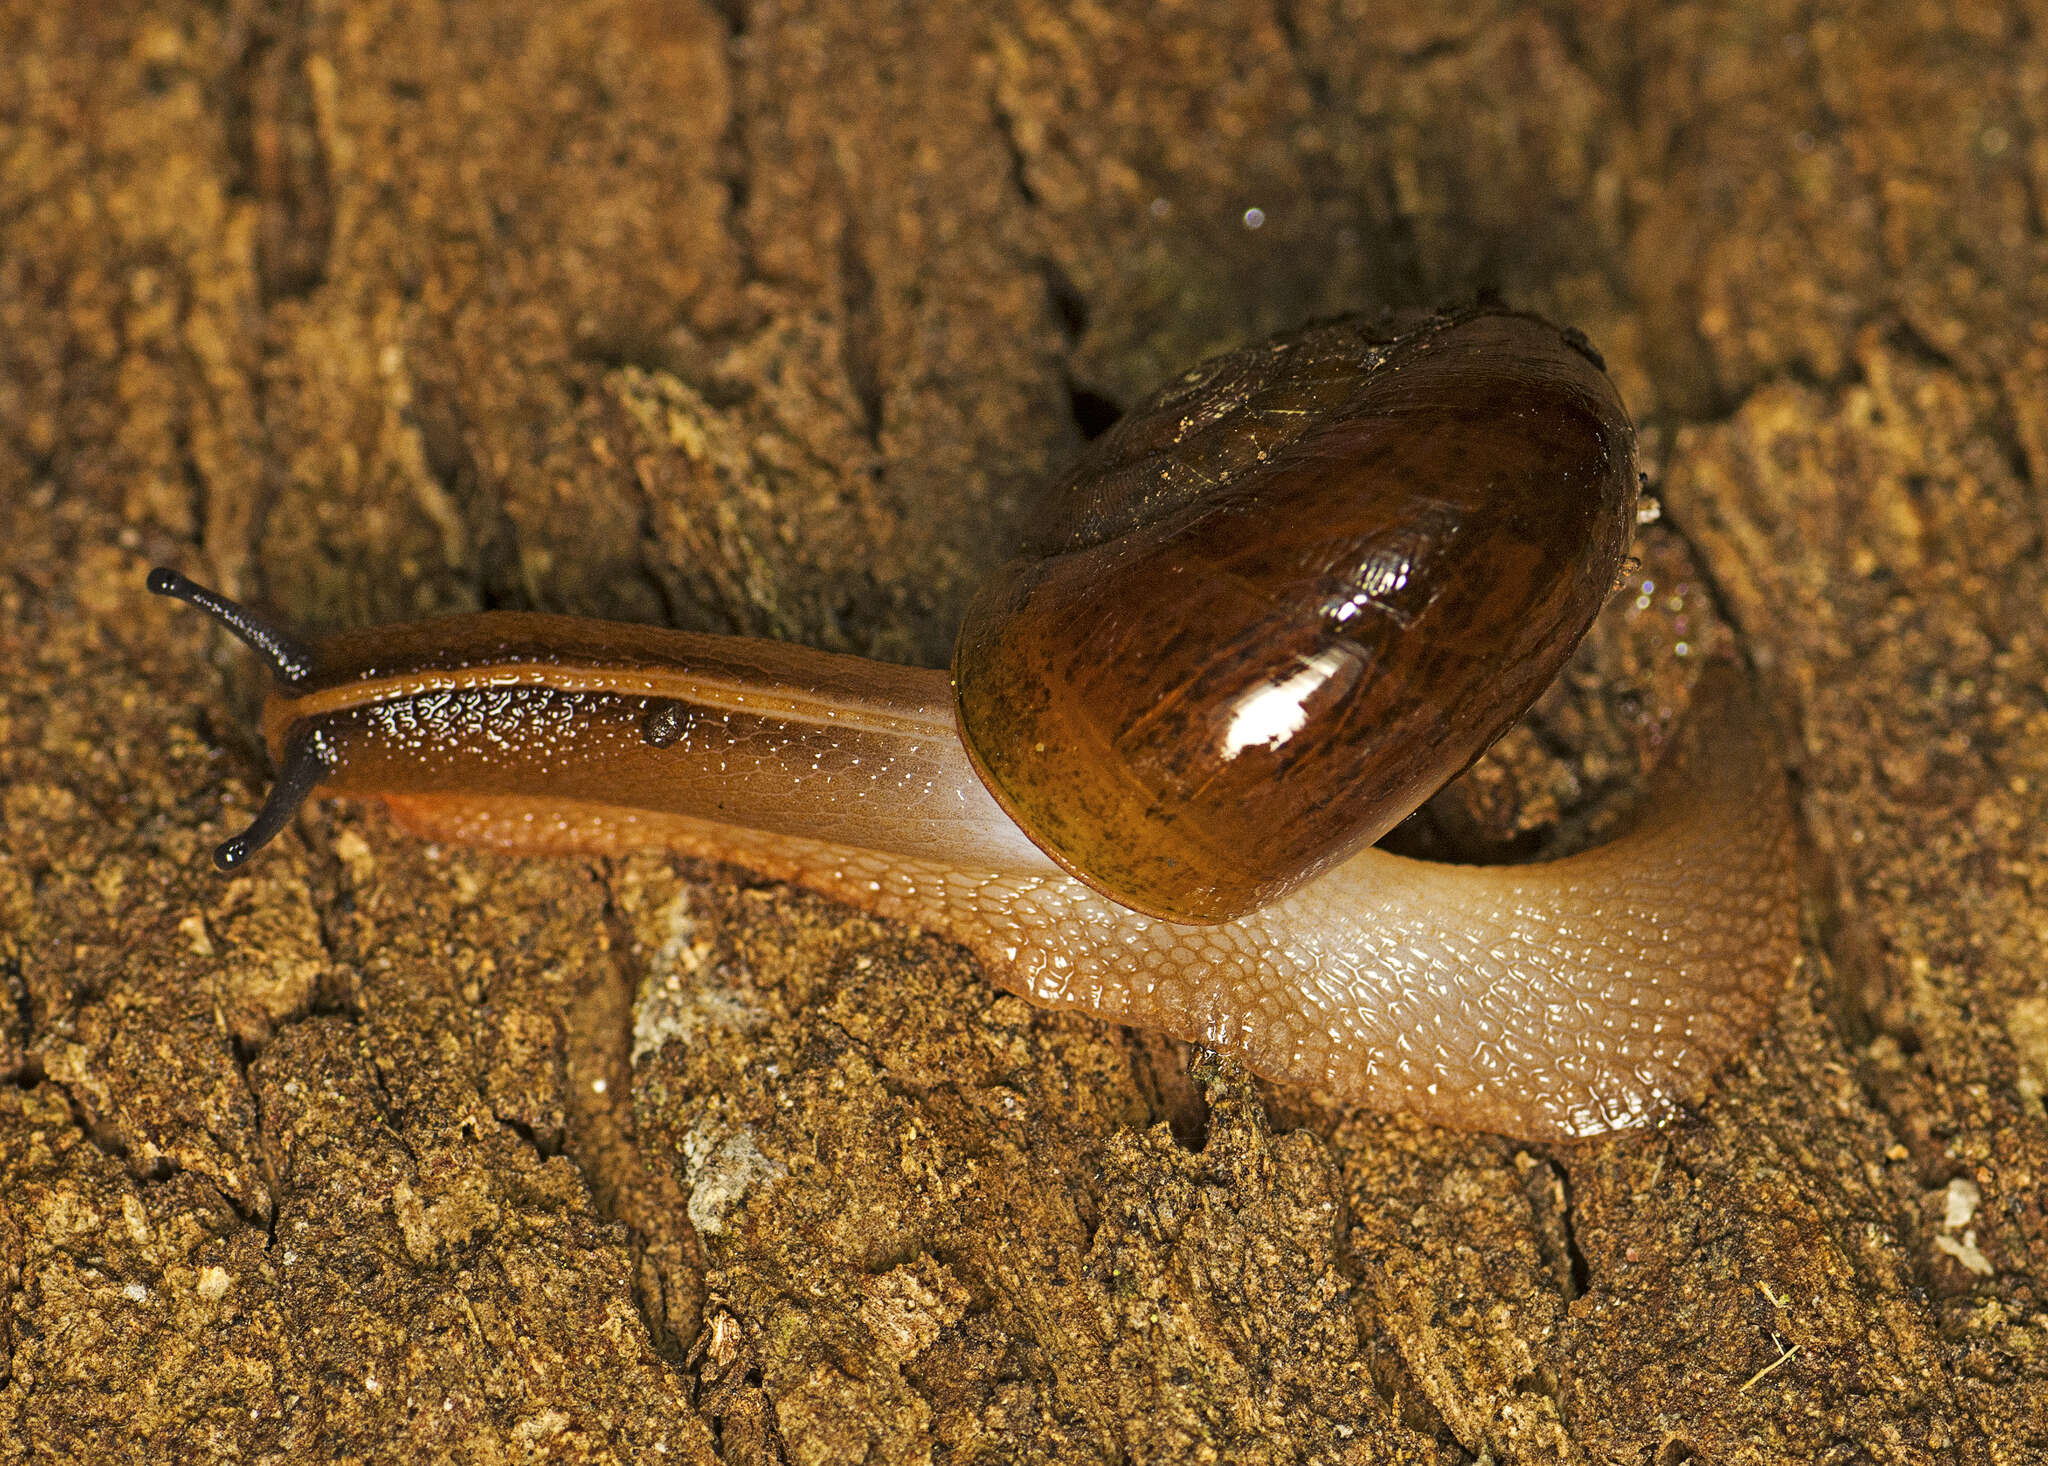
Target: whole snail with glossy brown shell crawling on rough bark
point(1287, 599)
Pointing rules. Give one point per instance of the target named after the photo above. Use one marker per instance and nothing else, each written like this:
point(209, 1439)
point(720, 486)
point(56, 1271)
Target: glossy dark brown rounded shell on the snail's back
point(1291, 597)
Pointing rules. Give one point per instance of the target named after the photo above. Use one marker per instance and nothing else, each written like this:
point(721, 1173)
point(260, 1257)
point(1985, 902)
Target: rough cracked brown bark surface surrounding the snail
point(771, 318)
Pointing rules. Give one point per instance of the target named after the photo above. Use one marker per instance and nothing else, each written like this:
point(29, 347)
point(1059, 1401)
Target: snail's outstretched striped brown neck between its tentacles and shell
point(726, 732)
